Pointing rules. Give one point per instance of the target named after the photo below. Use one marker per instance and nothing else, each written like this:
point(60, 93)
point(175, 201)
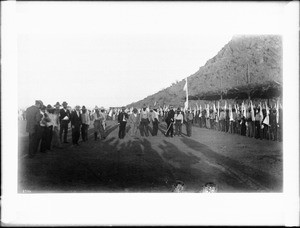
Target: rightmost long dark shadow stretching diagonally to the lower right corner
point(264, 179)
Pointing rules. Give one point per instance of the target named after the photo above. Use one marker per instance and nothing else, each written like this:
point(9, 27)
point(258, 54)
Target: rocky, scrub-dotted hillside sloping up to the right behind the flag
point(244, 60)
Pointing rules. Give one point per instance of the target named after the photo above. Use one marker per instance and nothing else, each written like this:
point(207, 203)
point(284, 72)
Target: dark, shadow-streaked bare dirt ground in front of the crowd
point(153, 164)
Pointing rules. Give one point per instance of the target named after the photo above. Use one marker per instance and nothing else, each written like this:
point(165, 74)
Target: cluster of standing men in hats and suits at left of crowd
point(48, 126)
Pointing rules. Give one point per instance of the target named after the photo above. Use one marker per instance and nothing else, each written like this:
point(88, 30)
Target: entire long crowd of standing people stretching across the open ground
point(48, 126)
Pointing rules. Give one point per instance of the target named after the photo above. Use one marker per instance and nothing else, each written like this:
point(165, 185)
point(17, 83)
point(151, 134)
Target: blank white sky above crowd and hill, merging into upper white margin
point(115, 53)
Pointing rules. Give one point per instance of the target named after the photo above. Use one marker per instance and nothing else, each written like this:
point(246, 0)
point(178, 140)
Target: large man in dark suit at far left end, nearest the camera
point(33, 117)
